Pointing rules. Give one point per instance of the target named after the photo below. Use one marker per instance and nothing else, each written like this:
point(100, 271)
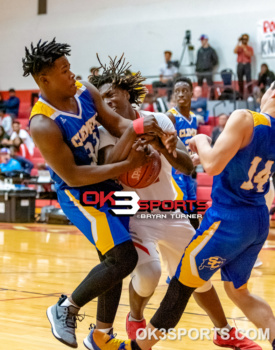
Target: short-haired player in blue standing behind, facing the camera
point(185, 123)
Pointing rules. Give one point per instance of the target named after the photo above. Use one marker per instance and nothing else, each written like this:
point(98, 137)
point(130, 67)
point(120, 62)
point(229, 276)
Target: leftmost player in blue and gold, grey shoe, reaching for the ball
point(63, 126)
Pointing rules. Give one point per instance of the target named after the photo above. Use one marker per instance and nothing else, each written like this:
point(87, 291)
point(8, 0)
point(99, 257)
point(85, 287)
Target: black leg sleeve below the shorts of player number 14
point(172, 305)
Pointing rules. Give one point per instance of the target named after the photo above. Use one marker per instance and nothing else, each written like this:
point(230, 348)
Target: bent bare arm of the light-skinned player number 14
point(235, 136)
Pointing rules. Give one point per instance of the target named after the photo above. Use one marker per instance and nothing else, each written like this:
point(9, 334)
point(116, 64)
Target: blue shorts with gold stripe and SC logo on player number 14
point(228, 239)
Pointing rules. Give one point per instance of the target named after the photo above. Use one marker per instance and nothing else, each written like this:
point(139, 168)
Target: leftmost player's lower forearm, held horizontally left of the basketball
point(91, 174)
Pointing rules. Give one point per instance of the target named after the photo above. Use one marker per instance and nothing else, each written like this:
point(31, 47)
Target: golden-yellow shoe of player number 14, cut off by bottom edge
point(103, 341)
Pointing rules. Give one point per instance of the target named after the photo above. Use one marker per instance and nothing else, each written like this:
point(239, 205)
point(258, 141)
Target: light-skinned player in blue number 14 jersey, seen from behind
point(233, 230)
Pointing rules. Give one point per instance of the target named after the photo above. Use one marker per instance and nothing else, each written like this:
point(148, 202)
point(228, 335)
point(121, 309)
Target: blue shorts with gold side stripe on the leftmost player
point(102, 229)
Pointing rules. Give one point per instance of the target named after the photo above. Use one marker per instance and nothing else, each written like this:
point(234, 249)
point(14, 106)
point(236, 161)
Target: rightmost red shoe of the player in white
point(236, 341)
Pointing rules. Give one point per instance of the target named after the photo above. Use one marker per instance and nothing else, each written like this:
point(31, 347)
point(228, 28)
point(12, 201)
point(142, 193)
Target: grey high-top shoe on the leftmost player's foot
point(63, 322)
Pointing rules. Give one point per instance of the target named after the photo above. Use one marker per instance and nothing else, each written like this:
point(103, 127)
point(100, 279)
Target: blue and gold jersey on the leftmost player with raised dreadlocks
point(80, 131)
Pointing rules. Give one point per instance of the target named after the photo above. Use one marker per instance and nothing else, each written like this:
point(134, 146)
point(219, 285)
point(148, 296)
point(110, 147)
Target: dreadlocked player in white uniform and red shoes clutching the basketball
point(152, 237)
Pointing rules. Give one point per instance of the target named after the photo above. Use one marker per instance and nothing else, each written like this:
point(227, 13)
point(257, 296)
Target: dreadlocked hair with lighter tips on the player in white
point(118, 75)
